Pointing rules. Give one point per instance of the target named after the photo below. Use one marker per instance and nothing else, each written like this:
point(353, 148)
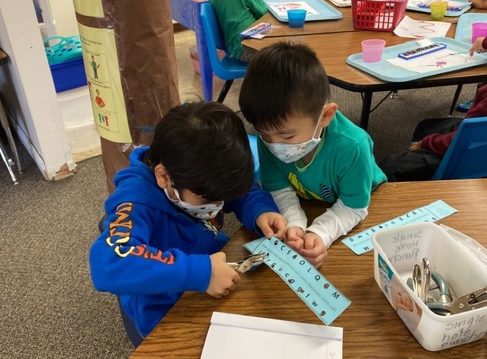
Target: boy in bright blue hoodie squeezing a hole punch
point(162, 233)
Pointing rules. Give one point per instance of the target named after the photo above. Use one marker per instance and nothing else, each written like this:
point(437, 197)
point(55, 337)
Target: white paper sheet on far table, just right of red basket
point(421, 28)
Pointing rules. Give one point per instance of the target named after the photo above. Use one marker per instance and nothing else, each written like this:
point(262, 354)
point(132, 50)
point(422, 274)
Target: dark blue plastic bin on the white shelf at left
point(68, 75)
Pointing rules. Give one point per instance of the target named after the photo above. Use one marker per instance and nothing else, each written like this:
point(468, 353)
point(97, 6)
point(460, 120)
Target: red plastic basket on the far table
point(378, 15)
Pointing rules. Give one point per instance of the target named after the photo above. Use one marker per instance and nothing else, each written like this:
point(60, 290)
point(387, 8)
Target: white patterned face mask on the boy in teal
point(291, 152)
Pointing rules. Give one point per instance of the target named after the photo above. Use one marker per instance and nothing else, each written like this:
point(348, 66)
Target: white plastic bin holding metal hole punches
point(462, 265)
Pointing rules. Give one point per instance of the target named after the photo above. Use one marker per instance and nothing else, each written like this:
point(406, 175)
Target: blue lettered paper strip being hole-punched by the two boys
point(302, 277)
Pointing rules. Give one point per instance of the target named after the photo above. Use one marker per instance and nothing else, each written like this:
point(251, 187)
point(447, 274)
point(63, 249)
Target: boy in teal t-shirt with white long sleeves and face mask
point(306, 147)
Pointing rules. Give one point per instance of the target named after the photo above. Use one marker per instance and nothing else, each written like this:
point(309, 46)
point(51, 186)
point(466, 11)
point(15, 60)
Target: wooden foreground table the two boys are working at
point(372, 328)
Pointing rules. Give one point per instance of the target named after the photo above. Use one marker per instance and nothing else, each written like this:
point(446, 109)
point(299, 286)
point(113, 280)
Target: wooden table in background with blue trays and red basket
point(324, 40)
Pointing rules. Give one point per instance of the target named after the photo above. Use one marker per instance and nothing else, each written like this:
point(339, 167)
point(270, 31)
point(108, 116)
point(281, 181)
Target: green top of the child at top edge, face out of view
point(234, 17)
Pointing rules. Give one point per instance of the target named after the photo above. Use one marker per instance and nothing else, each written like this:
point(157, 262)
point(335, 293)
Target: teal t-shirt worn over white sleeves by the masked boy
point(342, 167)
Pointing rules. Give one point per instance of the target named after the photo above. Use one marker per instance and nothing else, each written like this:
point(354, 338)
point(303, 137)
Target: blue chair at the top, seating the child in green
point(227, 68)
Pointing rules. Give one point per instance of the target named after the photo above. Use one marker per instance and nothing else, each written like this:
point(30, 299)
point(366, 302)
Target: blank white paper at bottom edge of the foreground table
point(242, 337)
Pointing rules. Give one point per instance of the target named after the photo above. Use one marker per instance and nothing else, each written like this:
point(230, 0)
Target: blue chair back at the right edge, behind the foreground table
point(466, 155)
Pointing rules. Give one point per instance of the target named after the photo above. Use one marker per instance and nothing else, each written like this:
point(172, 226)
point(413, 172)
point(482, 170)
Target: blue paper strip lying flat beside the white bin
point(362, 242)
